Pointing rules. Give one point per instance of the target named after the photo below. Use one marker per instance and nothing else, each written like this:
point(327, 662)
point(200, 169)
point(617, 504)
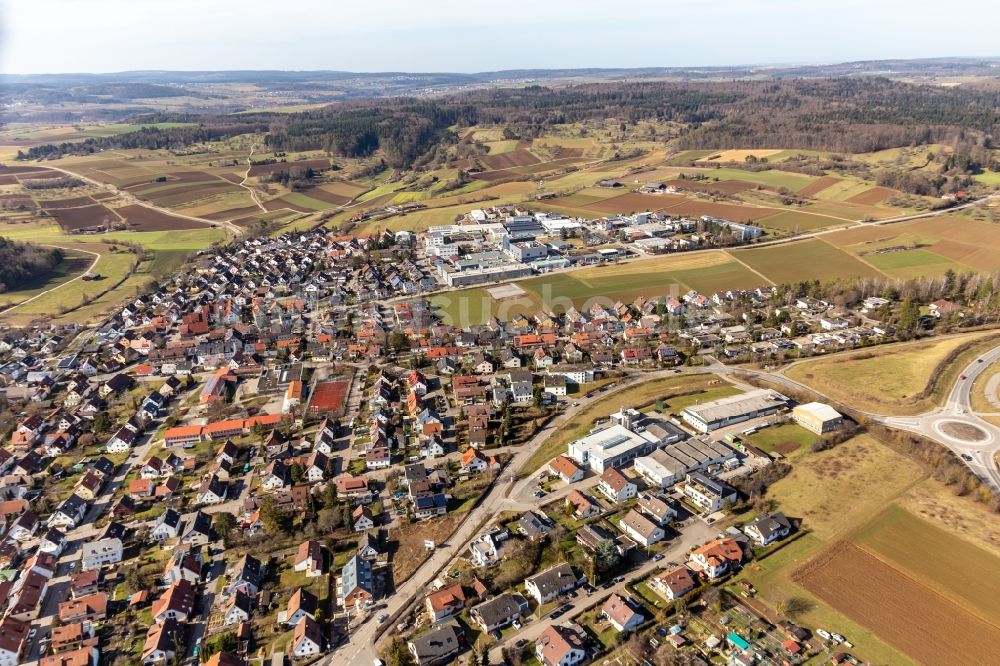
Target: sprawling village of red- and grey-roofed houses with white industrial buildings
point(251, 461)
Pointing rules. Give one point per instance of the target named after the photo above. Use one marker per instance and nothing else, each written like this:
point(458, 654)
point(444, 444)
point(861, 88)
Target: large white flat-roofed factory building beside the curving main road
point(629, 436)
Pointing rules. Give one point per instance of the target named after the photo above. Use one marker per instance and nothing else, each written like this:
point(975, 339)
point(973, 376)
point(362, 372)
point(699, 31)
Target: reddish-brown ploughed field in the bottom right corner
point(916, 620)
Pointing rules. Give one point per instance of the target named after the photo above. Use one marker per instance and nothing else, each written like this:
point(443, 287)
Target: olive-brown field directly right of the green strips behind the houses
point(808, 259)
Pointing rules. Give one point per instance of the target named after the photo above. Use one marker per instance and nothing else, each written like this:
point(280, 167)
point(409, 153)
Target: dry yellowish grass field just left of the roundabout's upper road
point(890, 379)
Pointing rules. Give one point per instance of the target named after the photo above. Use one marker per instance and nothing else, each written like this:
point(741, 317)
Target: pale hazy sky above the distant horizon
point(475, 35)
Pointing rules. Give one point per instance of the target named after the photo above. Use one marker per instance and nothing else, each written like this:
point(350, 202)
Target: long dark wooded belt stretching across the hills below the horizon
point(850, 115)
